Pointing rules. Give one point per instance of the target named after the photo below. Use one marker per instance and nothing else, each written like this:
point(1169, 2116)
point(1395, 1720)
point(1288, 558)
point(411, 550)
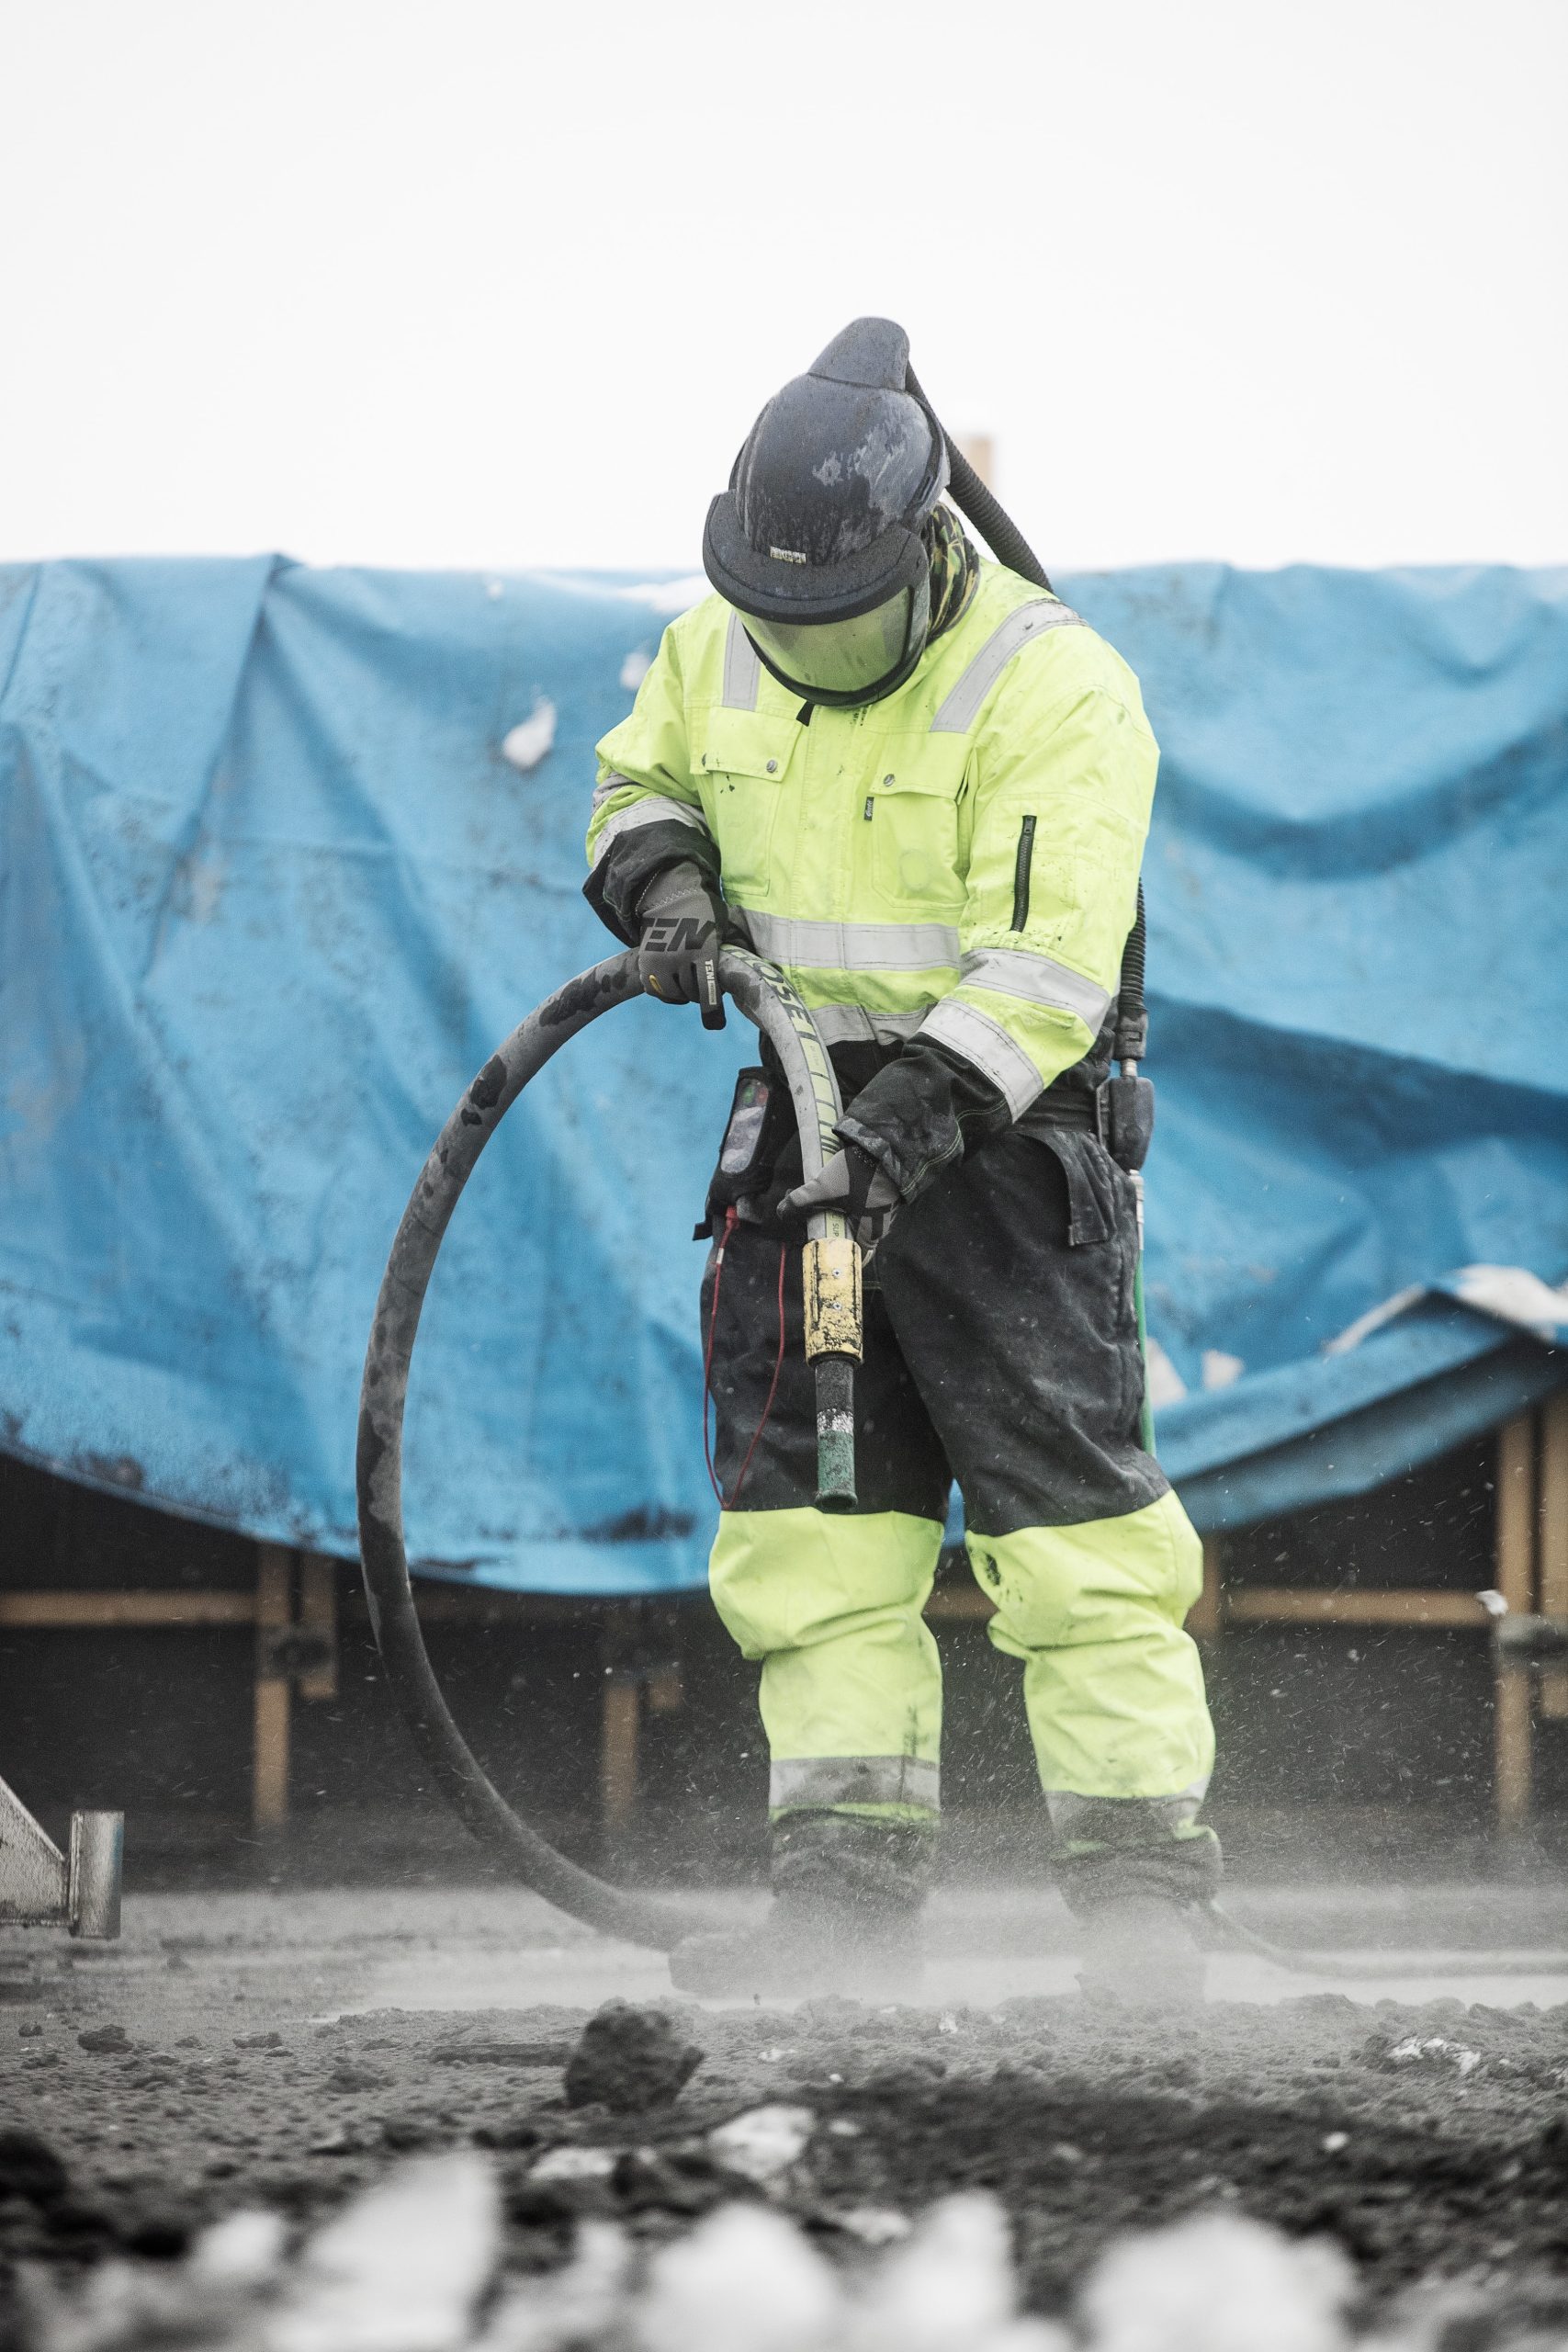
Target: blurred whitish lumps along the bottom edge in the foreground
point(420, 2266)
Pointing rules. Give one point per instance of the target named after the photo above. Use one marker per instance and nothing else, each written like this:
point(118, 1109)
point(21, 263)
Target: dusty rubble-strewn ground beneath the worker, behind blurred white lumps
point(293, 2047)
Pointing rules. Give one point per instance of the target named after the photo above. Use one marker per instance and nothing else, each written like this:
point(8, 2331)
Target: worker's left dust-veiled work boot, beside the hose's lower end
point(845, 1918)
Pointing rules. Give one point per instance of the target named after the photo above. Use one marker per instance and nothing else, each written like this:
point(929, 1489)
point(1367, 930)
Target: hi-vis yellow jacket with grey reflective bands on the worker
point(958, 860)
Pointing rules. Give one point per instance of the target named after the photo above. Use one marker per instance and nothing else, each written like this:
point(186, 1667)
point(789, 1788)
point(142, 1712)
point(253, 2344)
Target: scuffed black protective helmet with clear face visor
point(819, 535)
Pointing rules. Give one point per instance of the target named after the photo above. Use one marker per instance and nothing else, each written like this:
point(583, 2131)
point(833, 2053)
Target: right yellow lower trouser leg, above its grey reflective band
point(1113, 1685)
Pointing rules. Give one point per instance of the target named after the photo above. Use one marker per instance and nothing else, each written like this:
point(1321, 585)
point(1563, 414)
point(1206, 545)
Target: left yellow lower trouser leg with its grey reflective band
point(852, 1690)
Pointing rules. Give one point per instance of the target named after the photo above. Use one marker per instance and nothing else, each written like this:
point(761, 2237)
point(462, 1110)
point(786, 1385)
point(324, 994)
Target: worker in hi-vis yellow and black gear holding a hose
point(920, 787)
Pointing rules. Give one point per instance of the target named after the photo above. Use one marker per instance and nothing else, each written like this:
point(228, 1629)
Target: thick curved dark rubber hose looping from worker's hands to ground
point(782, 1017)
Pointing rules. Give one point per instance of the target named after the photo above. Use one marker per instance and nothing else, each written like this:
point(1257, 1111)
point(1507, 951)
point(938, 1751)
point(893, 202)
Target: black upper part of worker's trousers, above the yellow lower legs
point(1000, 1349)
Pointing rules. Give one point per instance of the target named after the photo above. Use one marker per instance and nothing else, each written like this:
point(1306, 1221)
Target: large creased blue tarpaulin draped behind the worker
point(274, 890)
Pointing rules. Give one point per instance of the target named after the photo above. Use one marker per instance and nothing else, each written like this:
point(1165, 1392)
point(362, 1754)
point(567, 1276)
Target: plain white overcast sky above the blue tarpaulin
point(492, 283)
